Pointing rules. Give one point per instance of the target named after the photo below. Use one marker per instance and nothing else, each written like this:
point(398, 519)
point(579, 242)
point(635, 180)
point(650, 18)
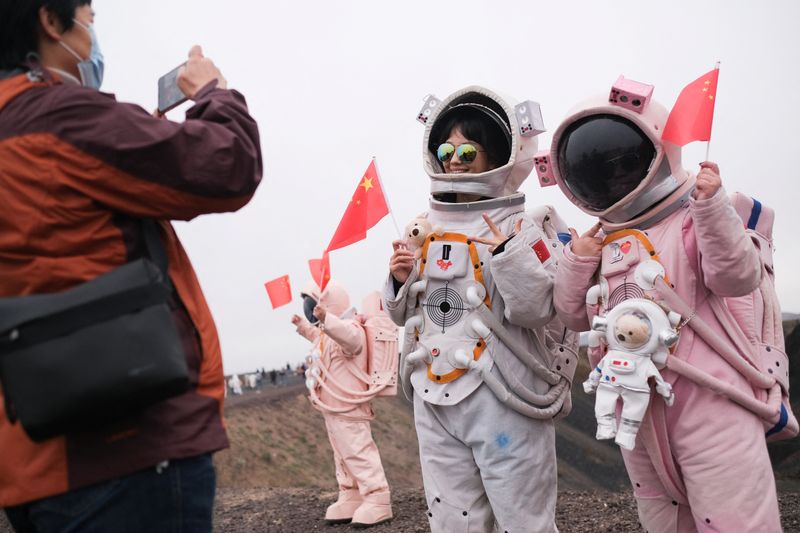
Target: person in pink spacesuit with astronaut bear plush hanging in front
point(700, 464)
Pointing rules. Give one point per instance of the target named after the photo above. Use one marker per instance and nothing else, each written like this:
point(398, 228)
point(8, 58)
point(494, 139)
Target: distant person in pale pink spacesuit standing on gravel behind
point(340, 341)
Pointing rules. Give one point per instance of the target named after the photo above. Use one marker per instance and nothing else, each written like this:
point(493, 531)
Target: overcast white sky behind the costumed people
point(334, 83)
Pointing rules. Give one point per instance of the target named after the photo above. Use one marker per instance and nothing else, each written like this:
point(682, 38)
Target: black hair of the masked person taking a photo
point(19, 27)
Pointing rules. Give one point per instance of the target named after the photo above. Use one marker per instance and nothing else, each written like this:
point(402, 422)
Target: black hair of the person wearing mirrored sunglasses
point(476, 125)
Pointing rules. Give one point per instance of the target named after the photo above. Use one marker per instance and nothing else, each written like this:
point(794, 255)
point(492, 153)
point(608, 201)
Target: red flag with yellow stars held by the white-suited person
point(365, 209)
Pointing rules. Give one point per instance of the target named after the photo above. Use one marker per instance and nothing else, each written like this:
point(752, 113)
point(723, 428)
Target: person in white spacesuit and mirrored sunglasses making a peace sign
point(485, 384)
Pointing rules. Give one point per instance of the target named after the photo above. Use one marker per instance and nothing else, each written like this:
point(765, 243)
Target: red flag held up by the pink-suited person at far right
point(692, 115)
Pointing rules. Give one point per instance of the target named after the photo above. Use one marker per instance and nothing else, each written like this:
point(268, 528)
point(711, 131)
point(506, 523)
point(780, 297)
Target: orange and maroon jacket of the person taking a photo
point(77, 171)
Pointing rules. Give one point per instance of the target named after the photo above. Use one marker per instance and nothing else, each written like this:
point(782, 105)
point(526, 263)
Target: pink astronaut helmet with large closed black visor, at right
point(608, 158)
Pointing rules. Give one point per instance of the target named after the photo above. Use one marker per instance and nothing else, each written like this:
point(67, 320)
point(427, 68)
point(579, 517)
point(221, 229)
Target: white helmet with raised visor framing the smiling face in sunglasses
point(520, 124)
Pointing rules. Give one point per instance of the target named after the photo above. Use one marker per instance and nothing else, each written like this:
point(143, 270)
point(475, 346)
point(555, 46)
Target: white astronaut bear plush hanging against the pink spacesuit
point(636, 331)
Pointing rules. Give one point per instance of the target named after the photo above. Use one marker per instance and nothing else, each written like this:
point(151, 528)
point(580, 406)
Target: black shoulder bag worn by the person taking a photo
point(94, 353)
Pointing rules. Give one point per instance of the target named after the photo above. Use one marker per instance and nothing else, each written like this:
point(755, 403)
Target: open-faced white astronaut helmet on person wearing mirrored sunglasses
point(507, 135)
